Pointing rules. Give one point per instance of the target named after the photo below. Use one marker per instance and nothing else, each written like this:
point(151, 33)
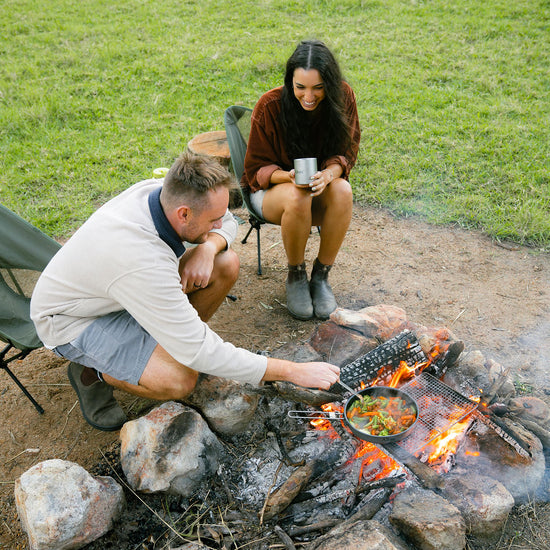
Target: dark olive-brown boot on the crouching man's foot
point(99, 408)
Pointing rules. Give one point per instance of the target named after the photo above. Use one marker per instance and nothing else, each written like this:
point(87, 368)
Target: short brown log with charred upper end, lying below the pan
point(281, 498)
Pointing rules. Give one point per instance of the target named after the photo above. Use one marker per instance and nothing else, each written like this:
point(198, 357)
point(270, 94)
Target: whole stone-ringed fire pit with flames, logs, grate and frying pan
point(415, 424)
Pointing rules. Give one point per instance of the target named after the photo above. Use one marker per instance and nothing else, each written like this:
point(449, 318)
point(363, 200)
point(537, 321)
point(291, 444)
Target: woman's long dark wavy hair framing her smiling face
point(329, 129)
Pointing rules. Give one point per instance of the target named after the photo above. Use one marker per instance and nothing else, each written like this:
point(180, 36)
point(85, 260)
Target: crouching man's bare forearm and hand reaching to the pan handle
point(310, 375)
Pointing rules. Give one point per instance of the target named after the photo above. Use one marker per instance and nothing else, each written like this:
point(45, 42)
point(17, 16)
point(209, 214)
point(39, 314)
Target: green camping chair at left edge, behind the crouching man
point(24, 252)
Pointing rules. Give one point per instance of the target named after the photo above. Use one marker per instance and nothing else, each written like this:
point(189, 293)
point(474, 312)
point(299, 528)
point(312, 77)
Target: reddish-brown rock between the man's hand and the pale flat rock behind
point(338, 345)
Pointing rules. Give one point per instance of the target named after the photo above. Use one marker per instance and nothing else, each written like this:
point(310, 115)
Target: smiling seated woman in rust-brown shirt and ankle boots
point(313, 115)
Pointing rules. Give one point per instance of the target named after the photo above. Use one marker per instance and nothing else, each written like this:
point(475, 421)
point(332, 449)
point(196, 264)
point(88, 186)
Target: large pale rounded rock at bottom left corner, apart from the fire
point(61, 505)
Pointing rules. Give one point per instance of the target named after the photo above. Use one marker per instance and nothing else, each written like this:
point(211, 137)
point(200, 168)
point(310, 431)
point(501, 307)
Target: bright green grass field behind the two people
point(453, 99)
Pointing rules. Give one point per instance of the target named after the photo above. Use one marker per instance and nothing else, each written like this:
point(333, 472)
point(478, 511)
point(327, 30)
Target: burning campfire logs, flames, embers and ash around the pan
point(345, 478)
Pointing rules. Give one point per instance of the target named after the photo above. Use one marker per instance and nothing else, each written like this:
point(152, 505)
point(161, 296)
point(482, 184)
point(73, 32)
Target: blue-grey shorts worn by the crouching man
point(114, 344)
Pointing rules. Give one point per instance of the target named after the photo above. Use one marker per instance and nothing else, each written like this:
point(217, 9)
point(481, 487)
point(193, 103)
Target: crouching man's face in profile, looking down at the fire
point(202, 220)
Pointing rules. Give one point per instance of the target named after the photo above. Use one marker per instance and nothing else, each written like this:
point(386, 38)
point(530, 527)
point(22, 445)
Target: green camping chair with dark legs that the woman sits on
point(237, 128)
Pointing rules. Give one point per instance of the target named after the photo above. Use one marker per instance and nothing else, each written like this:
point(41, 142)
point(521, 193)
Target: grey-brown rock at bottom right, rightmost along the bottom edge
point(483, 502)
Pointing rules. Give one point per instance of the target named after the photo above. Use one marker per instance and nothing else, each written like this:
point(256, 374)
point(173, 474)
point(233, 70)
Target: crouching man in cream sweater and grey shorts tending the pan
point(127, 303)
